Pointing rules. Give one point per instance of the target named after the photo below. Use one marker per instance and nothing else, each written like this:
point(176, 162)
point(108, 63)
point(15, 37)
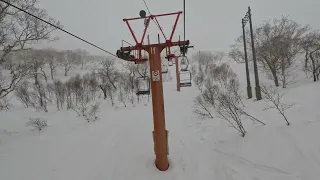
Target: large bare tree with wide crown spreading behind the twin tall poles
point(277, 45)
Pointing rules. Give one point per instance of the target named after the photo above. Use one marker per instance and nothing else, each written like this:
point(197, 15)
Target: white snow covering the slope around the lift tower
point(119, 146)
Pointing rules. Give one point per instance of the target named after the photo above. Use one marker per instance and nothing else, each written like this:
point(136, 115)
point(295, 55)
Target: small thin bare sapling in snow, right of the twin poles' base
point(275, 97)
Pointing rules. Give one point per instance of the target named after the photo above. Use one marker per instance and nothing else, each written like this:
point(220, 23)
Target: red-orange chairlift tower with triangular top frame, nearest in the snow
point(160, 134)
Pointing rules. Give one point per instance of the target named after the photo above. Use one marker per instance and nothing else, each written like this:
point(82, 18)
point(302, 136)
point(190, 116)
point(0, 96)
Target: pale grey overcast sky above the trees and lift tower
point(210, 24)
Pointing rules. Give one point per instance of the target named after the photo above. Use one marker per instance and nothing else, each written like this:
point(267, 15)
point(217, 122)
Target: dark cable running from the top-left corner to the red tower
point(59, 28)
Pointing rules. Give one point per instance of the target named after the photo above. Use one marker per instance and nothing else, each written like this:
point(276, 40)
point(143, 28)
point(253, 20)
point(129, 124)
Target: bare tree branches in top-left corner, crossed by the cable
point(18, 30)
